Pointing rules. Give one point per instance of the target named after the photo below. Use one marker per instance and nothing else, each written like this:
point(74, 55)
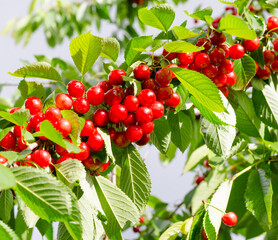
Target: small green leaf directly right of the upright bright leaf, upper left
point(111, 49)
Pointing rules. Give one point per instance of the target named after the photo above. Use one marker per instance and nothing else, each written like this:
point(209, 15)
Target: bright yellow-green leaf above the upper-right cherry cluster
point(236, 26)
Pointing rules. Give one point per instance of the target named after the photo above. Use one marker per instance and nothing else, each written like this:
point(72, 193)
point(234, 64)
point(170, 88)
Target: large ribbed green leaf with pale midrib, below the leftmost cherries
point(54, 203)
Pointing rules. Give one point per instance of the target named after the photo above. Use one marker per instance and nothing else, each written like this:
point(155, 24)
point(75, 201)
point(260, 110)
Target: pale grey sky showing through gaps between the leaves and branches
point(168, 182)
